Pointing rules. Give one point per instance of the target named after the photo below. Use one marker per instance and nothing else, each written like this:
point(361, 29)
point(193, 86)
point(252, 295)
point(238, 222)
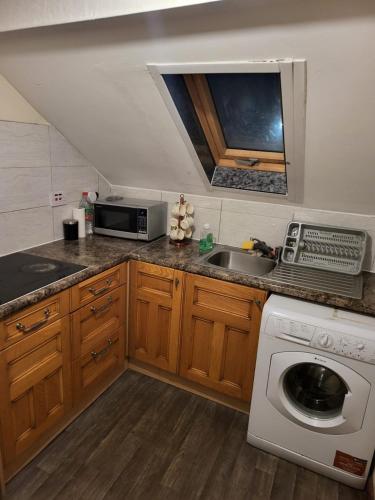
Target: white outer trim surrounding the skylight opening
point(293, 91)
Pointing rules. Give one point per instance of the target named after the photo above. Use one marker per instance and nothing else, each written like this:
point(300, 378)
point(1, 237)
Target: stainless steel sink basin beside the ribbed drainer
point(240, 261)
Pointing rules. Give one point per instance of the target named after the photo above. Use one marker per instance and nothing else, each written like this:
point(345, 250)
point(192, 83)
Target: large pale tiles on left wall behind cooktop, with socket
point(35, 160)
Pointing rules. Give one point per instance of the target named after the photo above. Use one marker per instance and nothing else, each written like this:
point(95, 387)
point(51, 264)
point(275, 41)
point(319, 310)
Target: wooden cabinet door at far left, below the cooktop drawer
point(35, 388)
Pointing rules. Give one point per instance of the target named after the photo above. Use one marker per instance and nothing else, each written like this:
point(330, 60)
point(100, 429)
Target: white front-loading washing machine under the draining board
point(313, 398)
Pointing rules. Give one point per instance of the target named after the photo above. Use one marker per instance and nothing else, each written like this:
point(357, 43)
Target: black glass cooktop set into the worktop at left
point(22, 273)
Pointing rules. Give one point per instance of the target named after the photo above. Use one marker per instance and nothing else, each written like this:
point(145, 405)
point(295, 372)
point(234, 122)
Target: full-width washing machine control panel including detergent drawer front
point(349, 346)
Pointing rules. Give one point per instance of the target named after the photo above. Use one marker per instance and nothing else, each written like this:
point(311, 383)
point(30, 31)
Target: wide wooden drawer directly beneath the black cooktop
point(32, 319)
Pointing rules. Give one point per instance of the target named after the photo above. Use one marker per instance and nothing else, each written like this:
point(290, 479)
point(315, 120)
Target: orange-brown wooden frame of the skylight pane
point(203, 103)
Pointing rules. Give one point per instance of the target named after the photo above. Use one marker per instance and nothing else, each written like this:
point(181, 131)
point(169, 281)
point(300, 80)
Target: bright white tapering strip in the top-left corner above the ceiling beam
point(21, 14)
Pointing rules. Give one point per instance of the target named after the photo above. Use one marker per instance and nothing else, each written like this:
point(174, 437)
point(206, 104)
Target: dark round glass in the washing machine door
point(315, 389)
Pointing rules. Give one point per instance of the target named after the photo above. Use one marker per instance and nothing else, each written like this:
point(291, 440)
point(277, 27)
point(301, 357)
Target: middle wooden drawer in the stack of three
point(98, 320)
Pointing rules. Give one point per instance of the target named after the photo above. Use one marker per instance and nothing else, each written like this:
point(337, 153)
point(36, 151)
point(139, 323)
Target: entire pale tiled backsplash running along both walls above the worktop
point(37, 159)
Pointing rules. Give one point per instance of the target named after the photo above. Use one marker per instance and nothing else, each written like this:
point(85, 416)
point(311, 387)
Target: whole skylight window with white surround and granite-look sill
point(241, 121)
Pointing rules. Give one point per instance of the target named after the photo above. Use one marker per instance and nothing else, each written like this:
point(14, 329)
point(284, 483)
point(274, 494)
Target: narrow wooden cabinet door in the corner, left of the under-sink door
point(155, 301)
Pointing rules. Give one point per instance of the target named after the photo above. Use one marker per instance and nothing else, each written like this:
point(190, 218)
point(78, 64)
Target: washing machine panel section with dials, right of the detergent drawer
point(344, 345)
